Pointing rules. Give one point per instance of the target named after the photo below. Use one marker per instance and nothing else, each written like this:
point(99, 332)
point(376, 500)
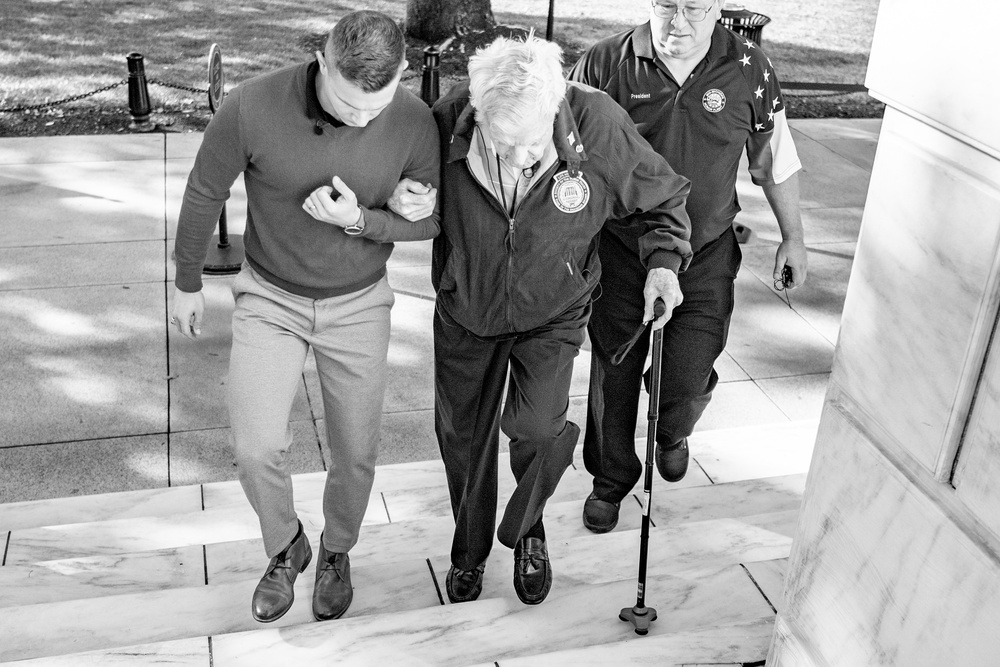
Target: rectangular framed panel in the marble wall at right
point(922, 296)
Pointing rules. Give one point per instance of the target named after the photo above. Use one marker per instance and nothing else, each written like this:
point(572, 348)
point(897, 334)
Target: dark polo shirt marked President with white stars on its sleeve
point(730, 102)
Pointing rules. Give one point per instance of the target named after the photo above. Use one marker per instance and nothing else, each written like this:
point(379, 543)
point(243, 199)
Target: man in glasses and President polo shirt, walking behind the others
point(700, 95)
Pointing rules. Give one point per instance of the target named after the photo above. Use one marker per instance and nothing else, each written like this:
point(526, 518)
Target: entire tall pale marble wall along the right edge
point(896, 555)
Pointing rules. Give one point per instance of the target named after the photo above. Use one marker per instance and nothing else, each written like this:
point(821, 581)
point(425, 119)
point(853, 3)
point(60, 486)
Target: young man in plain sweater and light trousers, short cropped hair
point(321, 146)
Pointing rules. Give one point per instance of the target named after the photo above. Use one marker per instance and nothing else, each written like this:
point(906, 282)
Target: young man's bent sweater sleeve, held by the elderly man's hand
point(424, 166)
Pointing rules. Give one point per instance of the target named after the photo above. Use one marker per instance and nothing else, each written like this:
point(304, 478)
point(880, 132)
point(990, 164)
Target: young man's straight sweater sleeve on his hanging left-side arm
point(220, 160)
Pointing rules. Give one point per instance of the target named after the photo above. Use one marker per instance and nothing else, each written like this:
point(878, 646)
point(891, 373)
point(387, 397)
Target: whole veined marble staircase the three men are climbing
point(166, 575)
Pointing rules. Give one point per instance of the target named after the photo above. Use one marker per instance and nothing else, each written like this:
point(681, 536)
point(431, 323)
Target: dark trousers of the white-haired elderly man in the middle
point(469, 376)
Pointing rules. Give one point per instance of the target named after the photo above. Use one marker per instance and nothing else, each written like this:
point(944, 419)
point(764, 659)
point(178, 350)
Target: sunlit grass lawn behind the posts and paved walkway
point(52, 49)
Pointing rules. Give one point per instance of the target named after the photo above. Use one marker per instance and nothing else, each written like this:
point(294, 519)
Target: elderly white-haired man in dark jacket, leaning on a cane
point(532, 170)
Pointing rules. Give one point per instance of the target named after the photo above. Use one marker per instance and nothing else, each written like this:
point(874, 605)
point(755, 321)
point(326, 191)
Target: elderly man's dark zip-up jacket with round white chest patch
point(497, 274)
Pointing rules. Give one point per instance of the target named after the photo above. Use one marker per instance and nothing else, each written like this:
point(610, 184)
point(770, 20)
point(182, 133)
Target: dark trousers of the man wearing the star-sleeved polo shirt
point(693, 339)
